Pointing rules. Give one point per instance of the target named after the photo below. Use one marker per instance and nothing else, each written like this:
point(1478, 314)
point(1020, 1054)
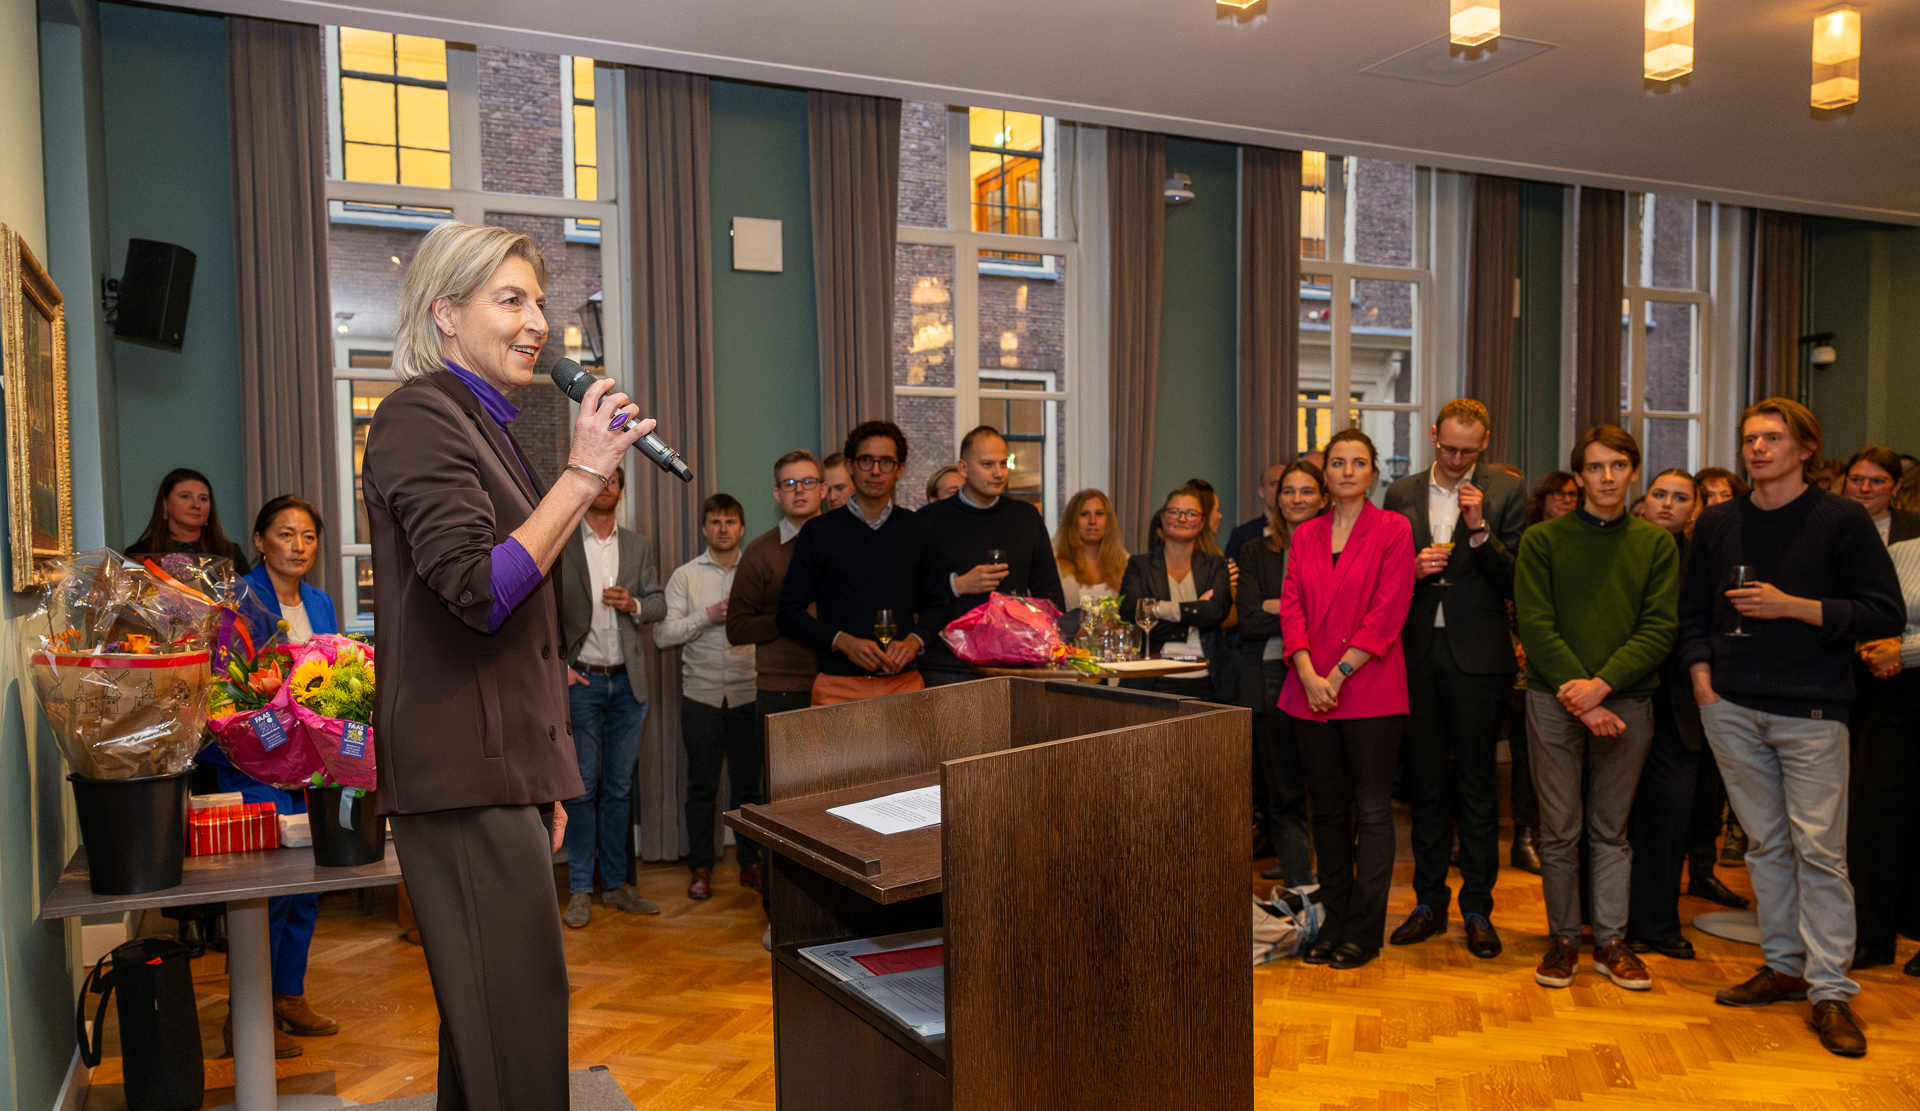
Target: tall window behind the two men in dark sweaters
point(982, 296)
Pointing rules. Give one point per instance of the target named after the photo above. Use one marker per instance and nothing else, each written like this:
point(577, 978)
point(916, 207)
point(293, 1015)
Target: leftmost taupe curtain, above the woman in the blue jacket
point(277, 139)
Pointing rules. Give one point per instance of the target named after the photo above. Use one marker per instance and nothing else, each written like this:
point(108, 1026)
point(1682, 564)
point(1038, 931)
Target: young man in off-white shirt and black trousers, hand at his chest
point(717, 692)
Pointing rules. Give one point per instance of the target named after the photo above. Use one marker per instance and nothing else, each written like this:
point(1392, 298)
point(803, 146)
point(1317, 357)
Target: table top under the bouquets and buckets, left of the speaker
point(226, 878)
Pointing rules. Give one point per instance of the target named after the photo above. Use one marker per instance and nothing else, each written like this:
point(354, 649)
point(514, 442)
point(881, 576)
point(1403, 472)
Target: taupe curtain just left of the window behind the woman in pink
point(1270, 314)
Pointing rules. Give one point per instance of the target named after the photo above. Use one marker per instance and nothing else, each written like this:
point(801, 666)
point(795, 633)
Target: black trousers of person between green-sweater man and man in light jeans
point(1658, 830)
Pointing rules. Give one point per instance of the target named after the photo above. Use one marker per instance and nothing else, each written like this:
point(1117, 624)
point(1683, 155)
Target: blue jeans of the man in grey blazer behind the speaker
point(608, 722)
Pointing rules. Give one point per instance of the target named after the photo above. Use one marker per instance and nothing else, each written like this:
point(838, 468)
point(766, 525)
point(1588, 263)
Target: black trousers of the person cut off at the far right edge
point(1884, 824)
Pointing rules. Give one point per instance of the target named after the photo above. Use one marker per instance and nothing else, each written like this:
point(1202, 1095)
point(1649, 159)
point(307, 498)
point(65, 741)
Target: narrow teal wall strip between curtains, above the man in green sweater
point(1537, 354)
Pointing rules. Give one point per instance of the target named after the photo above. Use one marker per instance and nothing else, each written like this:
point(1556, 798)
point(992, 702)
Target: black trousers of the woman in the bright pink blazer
point(1351, 780)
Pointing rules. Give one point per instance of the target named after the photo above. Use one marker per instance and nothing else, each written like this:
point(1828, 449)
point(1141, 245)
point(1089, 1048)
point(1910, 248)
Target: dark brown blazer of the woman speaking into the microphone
point(462, 717)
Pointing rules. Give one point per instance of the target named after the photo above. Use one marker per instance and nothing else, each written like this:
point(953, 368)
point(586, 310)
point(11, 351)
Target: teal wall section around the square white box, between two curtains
point(767, 348)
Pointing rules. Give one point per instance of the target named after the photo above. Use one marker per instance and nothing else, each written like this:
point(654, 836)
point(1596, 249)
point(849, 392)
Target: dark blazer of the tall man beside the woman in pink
point(1483, 577)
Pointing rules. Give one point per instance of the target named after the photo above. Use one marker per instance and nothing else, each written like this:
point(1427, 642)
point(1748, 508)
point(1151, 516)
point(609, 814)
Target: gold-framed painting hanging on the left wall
point(39, 463)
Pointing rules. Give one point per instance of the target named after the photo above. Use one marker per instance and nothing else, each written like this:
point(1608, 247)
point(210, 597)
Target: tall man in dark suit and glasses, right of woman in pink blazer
point(1460, 669)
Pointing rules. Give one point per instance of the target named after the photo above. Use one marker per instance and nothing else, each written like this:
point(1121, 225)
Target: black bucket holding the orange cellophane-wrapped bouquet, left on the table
point(135, 832)
